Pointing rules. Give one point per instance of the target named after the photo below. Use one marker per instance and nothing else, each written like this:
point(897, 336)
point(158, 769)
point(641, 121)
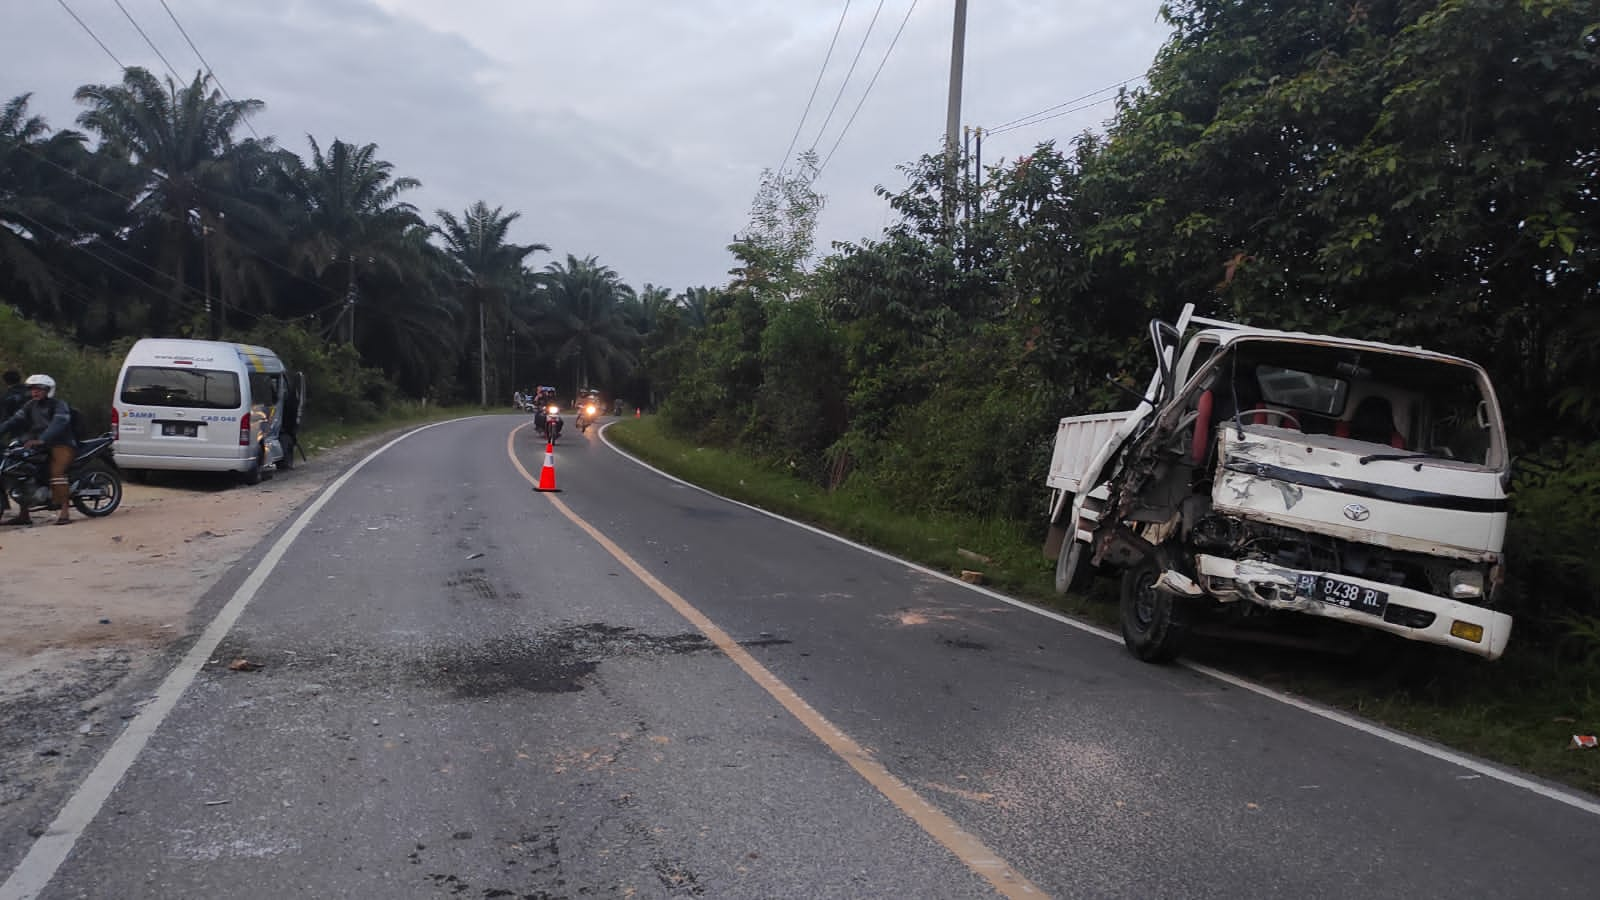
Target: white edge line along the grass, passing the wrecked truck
point(1550, 792)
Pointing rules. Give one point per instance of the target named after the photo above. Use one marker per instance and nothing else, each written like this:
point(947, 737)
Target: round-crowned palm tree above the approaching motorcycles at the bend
point(586, 311)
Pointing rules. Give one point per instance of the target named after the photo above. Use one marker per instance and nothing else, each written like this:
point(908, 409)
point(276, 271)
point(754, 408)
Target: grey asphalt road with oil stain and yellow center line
point(463, 693)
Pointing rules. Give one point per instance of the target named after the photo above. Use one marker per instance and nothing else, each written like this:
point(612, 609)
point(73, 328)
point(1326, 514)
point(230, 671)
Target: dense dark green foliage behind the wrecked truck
point(1409, 172)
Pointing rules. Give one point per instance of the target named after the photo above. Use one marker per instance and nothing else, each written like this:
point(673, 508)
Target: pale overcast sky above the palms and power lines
point(630, 131)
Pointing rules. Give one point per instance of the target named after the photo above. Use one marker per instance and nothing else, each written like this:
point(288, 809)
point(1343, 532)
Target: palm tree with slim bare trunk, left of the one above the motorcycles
point(487, 271)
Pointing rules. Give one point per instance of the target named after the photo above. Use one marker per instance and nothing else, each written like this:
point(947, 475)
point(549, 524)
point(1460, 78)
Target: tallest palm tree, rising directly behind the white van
point(180, 142)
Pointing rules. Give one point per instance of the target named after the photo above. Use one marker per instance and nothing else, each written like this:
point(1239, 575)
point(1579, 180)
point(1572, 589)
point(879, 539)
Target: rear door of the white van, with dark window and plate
point(186, 411)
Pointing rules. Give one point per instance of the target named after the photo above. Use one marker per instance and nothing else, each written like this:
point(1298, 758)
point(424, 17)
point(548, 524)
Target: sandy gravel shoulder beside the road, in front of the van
point(95, 613)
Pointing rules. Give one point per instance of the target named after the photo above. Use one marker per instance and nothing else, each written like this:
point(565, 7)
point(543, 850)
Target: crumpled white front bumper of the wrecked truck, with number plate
point(1410, 614)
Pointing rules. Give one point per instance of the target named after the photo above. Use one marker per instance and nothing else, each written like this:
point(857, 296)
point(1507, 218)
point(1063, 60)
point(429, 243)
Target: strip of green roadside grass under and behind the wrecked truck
point(1519, 712)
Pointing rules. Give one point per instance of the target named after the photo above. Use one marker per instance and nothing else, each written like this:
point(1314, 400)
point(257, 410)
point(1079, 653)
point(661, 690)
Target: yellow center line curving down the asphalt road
point(967, 848)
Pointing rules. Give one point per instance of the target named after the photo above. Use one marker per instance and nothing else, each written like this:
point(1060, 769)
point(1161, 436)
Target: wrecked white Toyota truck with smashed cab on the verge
point(1284, 472)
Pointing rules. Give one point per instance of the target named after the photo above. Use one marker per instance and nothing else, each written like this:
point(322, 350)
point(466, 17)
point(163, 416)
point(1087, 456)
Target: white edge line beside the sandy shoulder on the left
point(57, 843)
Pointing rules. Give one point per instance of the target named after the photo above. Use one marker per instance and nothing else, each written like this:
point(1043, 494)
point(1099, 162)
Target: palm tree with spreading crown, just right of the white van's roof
point(351, 217)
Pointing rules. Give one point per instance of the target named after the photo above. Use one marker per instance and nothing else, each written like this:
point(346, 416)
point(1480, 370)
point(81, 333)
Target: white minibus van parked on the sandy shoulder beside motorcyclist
point(206, 406)
